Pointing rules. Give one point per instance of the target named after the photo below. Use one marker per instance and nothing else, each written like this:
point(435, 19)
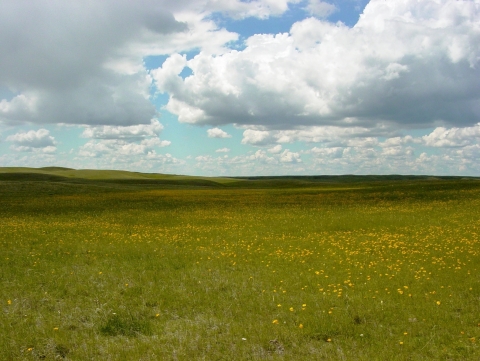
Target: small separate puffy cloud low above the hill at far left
point(33, 140)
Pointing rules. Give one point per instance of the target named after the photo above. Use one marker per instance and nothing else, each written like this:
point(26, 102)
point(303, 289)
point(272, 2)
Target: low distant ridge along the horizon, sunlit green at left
point(127, 178)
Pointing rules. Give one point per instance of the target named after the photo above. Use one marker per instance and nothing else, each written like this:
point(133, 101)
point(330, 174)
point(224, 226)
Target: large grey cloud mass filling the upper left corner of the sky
point(82, 62)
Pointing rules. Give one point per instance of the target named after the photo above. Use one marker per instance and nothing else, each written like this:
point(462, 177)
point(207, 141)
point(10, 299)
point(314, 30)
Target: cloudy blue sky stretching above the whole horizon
point(242, 88)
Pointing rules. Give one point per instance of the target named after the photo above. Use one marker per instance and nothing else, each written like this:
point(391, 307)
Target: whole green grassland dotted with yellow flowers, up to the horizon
point(109, 265)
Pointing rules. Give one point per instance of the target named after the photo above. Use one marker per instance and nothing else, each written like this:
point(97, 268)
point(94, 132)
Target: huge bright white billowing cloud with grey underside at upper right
point(404, 64)
